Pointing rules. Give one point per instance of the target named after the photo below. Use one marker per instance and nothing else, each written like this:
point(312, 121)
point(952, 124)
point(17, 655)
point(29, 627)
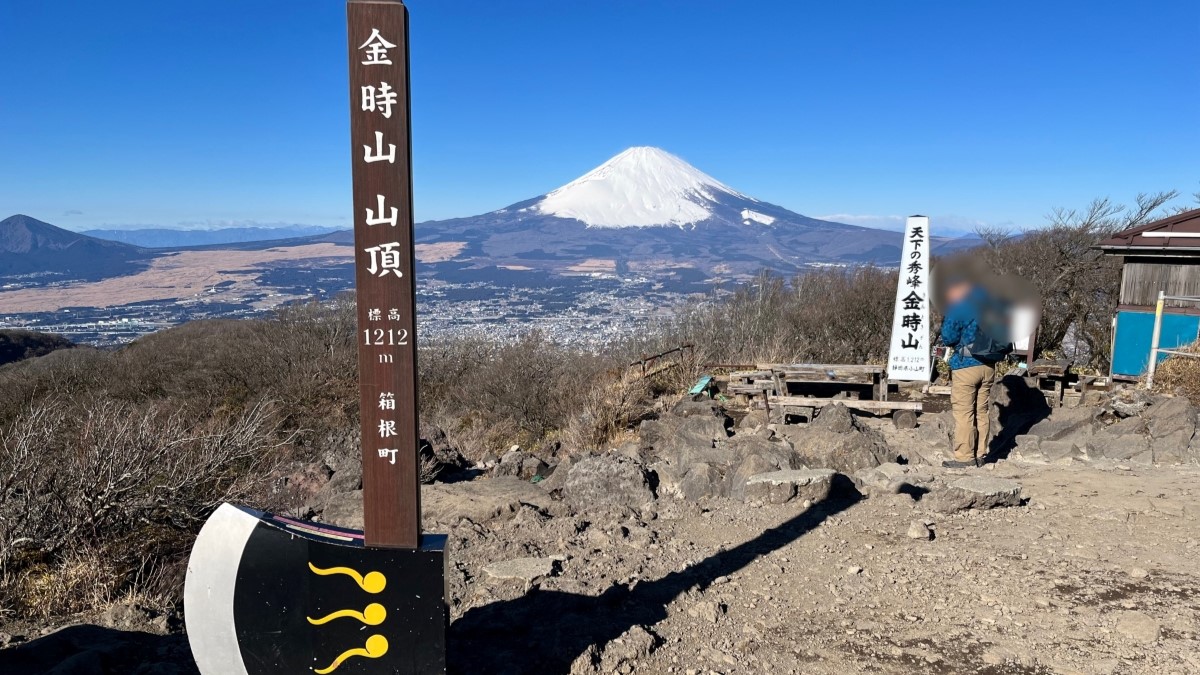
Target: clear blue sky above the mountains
point(196, 115)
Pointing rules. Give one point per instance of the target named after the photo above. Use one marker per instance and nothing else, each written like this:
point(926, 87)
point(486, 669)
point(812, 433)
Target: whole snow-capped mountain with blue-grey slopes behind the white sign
point(649, 212)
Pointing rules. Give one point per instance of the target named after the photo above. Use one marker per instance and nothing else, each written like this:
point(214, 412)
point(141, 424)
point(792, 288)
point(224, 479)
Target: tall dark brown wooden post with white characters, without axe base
point(383, 238)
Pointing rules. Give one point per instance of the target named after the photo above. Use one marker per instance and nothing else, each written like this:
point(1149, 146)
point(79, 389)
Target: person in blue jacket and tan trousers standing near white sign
point(971, 380)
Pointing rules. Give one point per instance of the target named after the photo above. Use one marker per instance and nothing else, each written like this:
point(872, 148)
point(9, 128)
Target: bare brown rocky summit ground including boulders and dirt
point(722, 542)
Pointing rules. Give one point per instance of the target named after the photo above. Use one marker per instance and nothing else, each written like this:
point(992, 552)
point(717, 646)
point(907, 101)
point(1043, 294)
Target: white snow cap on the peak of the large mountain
point(640, 188)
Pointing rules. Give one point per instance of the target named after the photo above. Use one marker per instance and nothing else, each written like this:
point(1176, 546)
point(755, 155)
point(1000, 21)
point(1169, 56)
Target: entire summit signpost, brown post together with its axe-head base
point(267, 594)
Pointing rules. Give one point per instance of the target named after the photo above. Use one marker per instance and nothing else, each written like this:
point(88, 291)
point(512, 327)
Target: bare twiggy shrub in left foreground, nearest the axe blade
point(106, 476)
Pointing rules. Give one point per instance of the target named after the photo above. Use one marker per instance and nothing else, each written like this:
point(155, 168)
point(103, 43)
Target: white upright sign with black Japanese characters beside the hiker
point(909, 360)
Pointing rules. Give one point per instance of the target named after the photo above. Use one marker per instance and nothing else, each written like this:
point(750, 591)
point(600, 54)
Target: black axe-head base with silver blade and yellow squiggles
point(268, 595)
